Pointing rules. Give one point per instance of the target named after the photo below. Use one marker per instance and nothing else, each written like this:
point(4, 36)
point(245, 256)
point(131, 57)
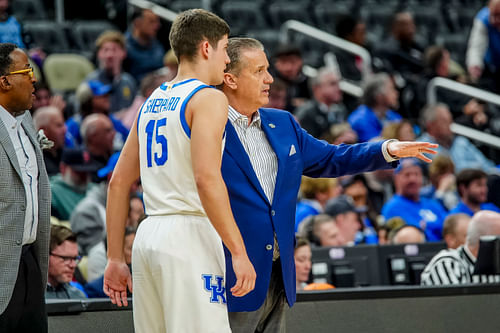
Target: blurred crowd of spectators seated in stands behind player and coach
point(410, 204)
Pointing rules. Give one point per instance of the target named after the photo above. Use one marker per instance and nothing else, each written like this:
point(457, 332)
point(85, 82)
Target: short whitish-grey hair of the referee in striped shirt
point(482, 223)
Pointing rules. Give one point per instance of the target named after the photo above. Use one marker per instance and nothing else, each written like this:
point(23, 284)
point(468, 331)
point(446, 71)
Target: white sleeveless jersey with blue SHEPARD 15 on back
point(165, 151)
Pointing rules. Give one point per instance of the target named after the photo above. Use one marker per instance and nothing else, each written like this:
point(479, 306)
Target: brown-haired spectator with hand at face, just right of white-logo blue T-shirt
point(442, 187)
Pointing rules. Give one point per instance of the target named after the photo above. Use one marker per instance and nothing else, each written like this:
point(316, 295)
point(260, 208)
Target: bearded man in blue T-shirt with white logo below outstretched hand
point(425, 214)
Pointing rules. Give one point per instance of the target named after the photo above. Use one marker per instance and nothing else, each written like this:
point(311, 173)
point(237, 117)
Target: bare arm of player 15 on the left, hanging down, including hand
point(117, 274)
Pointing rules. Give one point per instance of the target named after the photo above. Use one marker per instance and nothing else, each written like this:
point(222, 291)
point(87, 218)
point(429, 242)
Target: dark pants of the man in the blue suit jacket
point(270, 317)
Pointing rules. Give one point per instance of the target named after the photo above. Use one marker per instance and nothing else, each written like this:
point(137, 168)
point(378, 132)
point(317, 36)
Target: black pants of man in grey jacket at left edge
point(26, 310)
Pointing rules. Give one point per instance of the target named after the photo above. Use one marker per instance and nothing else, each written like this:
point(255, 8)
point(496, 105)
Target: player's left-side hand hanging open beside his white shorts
point(116, 280)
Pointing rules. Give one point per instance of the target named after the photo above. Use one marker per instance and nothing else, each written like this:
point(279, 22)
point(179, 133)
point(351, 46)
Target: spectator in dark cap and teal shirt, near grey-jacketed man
point(69, 188)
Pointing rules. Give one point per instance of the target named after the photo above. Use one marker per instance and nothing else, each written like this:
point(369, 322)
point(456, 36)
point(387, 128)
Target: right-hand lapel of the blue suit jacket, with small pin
point(275, 136)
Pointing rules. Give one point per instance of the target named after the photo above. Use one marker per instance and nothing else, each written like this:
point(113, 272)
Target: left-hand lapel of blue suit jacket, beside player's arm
point(236, 150)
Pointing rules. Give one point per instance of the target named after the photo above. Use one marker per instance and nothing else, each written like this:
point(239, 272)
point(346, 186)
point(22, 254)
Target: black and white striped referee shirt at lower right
point(454, 266)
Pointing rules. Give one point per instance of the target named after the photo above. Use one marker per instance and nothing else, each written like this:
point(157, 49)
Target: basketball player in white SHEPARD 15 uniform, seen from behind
point(176, 148)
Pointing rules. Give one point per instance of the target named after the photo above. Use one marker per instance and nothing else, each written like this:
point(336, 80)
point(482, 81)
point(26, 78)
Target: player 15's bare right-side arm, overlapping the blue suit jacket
point(207, 112)
